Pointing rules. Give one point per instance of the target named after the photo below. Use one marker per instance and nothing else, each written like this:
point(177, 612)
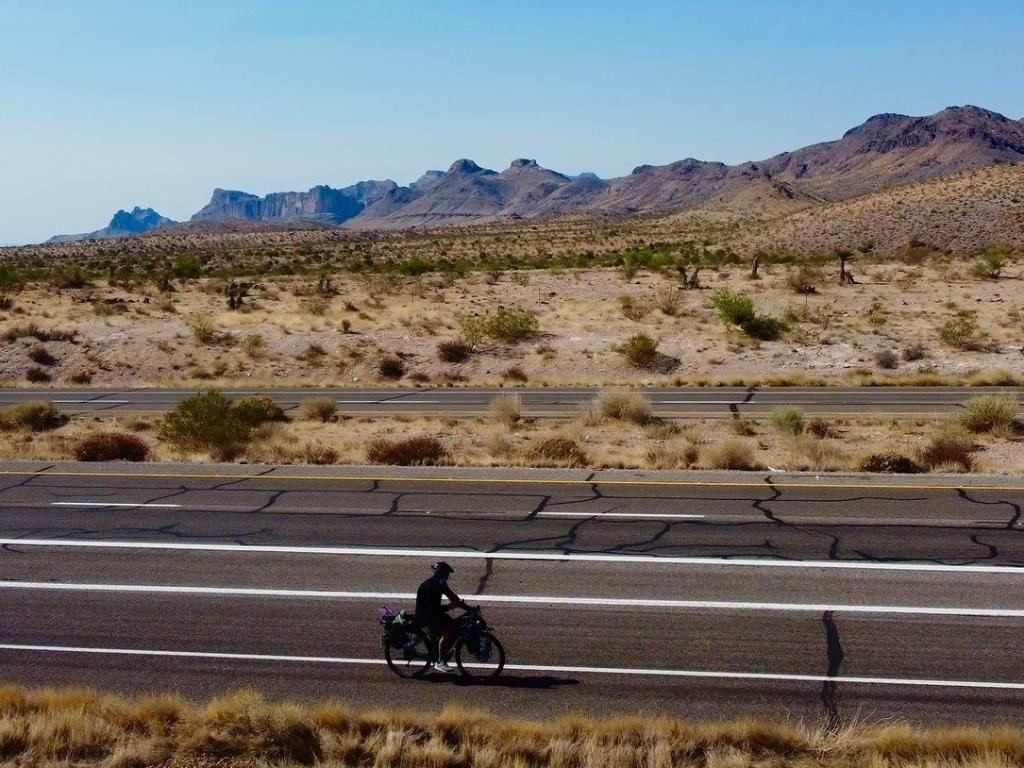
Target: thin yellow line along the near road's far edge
point(507, 482)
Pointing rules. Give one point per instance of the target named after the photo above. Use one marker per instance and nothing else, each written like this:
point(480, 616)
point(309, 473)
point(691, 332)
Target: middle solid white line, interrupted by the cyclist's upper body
point(618, 603)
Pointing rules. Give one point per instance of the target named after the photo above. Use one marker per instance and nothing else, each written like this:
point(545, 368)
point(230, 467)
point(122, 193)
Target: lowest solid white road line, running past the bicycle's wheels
point(624, 671)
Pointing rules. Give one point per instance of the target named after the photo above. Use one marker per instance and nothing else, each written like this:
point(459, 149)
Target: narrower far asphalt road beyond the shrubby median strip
point(689, 402)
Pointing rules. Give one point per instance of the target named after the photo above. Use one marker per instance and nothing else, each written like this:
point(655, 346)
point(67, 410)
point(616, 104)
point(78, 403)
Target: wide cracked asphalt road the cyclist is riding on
point(715, 601)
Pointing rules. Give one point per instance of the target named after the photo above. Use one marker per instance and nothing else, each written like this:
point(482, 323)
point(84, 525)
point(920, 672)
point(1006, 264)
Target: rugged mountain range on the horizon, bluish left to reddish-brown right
point(885, 152)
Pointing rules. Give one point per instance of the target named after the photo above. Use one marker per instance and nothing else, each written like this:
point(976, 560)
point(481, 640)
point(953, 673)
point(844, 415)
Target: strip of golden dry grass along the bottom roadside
point(61, 728)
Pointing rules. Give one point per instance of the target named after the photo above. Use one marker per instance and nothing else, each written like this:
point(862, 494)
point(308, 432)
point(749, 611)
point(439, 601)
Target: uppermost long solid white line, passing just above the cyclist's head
point(440, 554)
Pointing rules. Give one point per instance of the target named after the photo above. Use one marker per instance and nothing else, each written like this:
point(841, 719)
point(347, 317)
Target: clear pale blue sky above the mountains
point(108, 105)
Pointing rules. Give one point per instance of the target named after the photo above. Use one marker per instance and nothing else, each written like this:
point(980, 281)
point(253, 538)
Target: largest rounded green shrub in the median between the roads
point(203, 421)
